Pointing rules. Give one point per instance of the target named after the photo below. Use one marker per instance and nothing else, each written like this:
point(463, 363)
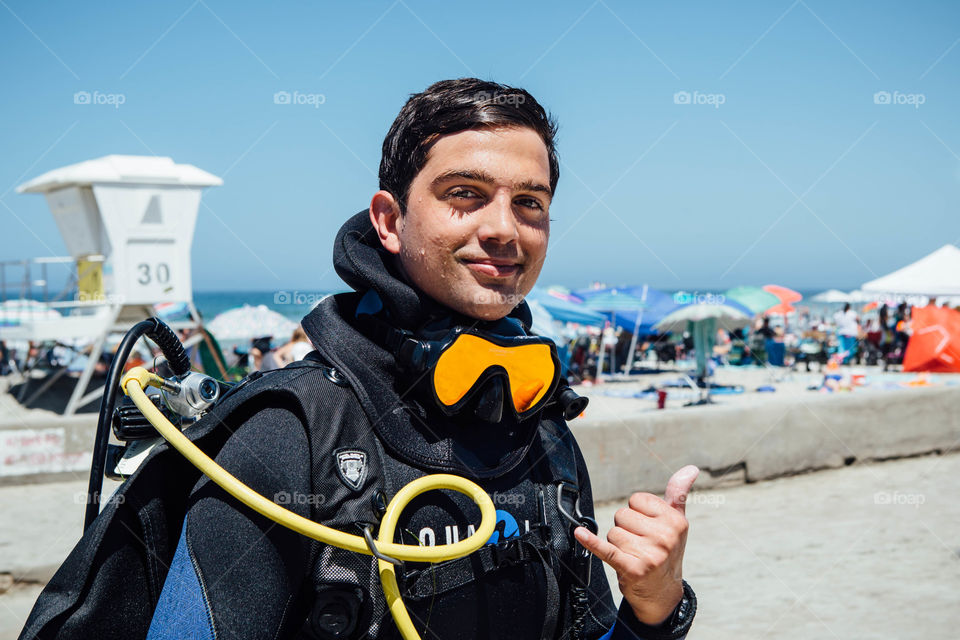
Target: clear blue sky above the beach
point(781, 167)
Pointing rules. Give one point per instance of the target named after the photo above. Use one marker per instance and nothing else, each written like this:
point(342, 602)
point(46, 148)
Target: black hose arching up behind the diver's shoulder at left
point(173, 351)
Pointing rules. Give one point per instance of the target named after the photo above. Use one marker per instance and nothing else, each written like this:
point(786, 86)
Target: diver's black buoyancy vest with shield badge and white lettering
point(520, 585)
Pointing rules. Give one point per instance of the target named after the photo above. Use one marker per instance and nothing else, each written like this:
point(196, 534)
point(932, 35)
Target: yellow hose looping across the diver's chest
point(133, 384)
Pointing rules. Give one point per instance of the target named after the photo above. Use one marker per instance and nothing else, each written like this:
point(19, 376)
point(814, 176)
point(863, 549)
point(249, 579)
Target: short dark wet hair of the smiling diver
point(450, 106)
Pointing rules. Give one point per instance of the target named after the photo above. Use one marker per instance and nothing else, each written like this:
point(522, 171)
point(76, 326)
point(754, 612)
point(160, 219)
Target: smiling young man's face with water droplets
point(475, 233)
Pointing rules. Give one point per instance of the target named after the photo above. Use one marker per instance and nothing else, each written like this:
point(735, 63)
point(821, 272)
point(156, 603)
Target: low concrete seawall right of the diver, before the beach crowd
point(629, 451)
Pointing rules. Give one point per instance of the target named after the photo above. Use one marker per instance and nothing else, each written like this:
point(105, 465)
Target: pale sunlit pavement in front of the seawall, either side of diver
point(867, 551)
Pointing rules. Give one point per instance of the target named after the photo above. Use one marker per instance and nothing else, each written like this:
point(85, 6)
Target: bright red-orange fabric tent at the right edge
point(935, 343)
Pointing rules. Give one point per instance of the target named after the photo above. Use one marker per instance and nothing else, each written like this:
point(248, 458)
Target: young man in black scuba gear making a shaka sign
point(427, 367)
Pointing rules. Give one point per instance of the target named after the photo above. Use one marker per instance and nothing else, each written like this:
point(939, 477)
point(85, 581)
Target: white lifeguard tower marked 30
point(128, 223)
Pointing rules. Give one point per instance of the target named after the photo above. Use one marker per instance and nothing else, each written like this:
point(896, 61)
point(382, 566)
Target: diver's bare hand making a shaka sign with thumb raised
point(645, 548)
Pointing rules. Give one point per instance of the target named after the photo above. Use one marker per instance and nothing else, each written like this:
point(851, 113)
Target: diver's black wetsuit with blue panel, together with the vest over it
point(235, 574)
